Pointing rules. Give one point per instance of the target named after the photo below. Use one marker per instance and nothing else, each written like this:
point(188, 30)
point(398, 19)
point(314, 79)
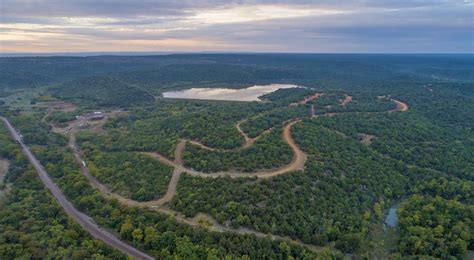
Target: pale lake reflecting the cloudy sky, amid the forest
point(245, 94)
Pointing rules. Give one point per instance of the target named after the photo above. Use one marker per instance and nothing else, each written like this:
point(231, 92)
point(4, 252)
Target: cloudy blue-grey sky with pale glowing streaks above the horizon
point(359, 26)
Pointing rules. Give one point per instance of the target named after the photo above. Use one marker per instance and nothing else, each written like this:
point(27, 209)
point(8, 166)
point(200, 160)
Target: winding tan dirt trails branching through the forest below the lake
point(201, 219)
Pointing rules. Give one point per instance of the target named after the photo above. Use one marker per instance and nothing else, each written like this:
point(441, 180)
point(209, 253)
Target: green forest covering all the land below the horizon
point(362, 156)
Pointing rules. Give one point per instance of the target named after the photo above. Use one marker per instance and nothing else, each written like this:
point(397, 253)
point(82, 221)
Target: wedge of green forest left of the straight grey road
point(32, 225)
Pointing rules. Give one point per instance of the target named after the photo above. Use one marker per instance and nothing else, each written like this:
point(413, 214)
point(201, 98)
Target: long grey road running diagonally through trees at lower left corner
point(81, 218)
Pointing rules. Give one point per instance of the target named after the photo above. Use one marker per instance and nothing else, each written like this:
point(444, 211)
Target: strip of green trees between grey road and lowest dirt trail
point(154, 232)
